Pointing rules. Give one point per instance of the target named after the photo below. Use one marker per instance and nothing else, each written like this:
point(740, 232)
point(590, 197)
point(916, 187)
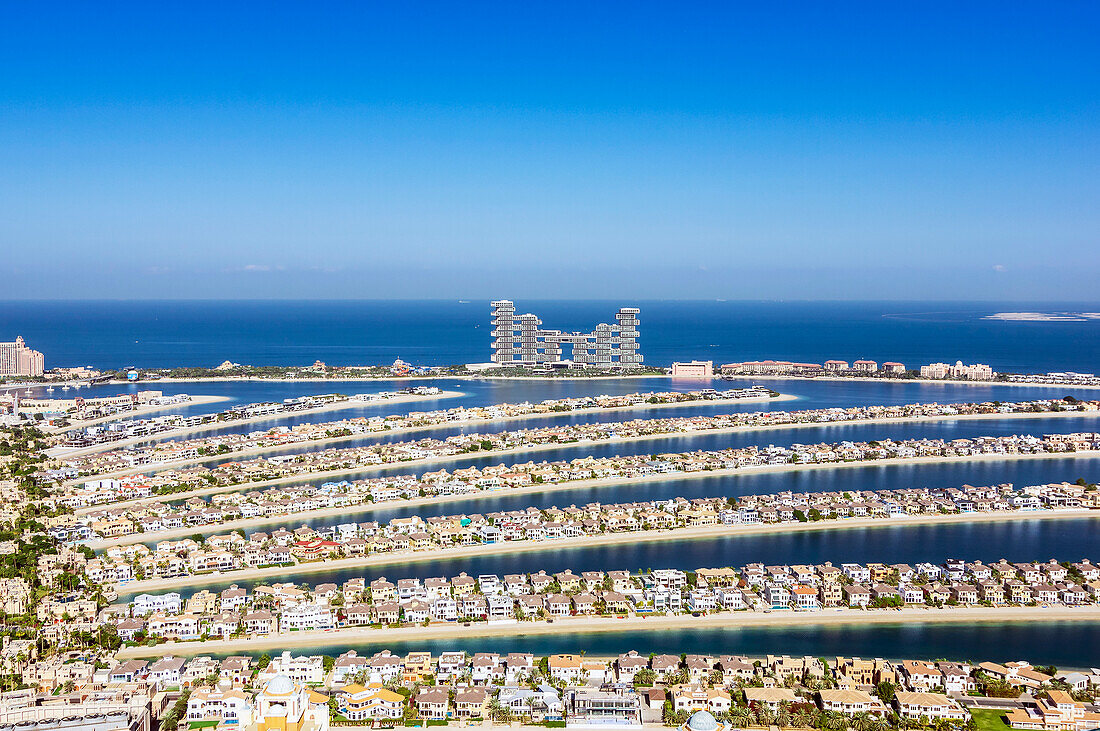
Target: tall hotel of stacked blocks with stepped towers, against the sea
point(522, 341)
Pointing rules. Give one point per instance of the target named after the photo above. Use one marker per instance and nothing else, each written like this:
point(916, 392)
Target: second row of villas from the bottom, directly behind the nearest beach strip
point(534, 597)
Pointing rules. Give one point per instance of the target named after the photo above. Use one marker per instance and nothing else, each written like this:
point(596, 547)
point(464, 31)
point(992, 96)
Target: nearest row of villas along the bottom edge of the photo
point(697, 692)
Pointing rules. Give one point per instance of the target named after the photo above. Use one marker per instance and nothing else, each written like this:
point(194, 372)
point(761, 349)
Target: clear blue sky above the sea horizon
point(798, 151)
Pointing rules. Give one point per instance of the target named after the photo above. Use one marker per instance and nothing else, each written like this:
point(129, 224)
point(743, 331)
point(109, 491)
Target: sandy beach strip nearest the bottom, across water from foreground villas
point(593, 625)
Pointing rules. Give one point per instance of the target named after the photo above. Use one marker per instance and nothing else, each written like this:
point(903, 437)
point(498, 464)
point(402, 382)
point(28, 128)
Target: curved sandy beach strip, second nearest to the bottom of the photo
point(588, 541)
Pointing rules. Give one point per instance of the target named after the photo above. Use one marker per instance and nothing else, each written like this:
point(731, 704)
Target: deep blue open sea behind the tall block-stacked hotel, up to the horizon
point(274, 333)
